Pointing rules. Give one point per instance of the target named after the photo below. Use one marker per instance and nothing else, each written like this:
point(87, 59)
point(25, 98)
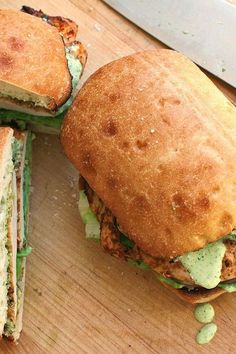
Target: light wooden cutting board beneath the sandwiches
point(78, 299)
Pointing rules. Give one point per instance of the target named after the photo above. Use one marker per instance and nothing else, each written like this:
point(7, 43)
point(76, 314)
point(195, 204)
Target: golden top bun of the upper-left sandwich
point(32, 57)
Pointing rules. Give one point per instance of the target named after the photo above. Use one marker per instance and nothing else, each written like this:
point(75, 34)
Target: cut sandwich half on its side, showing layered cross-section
point(15, 160)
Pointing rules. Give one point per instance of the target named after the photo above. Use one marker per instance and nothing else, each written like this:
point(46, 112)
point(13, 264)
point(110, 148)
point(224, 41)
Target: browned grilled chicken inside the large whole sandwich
point(170, 268)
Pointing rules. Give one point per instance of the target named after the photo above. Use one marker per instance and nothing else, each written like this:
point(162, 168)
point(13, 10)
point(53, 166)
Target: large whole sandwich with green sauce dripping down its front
point(154, 142)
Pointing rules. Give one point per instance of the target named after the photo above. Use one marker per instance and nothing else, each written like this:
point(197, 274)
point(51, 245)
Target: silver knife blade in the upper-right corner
point(203, 30)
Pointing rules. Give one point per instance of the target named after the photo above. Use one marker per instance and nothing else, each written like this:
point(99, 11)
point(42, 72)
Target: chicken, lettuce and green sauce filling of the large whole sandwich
point(207, 268)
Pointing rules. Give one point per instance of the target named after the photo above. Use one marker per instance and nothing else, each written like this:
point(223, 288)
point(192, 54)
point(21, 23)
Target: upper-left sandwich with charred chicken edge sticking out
point(41, 63)
